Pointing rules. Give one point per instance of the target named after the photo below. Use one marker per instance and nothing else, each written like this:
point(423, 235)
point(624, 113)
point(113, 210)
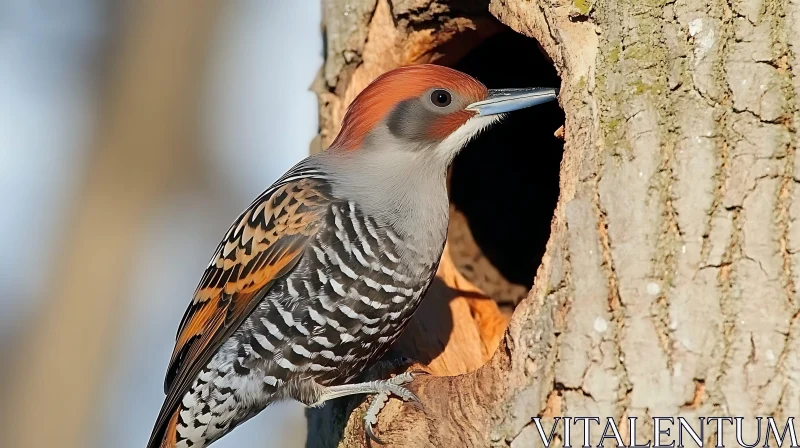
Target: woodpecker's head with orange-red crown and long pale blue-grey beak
point(428, 108)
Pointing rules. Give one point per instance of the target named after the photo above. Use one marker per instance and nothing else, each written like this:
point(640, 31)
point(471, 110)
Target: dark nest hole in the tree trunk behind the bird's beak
point(505, 184)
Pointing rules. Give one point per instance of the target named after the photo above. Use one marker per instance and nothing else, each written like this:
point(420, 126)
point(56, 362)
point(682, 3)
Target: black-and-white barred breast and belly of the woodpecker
point(343, 305)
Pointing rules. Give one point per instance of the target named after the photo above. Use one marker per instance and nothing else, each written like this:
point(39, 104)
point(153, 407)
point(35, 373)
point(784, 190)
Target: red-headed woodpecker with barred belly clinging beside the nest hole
point(319, 275)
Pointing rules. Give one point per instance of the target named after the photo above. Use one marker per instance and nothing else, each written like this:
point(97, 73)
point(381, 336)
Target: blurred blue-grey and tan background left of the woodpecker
point(132, 133)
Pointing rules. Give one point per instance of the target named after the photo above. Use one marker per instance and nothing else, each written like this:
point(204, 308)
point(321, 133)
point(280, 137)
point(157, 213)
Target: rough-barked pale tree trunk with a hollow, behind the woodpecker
point(668, 283)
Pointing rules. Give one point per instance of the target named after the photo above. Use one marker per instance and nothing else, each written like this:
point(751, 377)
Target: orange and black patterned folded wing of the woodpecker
point(264, 243)
